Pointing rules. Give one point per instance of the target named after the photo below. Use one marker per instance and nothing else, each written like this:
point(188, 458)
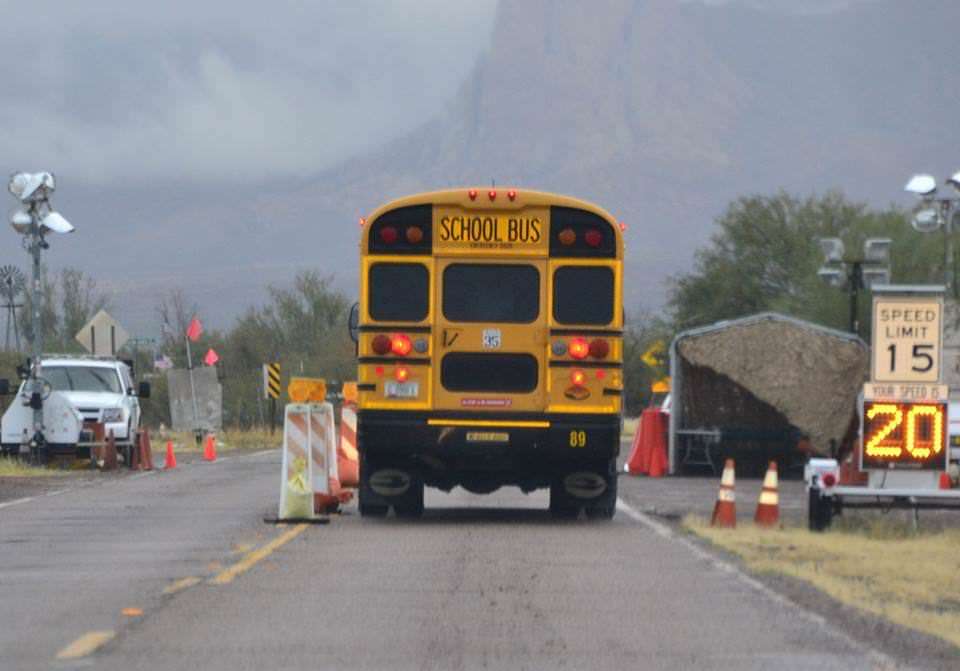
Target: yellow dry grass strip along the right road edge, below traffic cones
point(880, 566)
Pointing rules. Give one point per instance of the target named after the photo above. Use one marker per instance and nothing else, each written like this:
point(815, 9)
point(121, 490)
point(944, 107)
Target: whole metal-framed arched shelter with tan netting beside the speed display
point(761, 388)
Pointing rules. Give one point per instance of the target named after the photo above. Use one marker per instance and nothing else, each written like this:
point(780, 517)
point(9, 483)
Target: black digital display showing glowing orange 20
point(904, 435)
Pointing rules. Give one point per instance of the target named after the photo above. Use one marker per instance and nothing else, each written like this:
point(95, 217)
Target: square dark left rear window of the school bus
point(398, 292)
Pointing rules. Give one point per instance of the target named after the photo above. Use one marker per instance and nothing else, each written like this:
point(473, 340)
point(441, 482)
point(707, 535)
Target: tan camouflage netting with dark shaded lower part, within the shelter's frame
point(770, 373)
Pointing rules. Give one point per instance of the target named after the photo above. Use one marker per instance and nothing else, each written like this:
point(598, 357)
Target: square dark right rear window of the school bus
point(583, 295)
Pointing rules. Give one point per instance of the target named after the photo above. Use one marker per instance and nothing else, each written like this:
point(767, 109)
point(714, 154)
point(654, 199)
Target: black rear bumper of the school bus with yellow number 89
point(524, 450)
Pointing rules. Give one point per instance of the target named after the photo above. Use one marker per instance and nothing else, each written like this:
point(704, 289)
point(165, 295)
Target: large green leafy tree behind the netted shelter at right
point(765, 255)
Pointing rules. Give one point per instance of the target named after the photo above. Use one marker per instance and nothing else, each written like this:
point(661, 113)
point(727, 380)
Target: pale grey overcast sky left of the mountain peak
point(223, 91)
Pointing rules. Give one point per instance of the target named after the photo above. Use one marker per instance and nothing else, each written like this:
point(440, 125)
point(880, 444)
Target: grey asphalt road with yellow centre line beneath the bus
point(480, 582)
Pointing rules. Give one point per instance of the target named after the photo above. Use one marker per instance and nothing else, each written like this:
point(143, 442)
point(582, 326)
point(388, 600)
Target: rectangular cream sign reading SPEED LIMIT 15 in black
point(907, 335)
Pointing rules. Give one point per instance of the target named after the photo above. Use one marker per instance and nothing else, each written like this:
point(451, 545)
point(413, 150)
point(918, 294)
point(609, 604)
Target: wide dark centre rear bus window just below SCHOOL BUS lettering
point(491, 293)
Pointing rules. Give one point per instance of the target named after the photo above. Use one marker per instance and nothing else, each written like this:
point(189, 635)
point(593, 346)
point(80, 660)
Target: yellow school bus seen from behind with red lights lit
point(490, 345)
